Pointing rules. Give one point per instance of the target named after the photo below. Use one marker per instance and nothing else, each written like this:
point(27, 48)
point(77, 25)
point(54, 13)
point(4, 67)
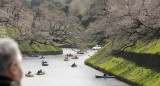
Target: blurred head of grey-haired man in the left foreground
point(10, 61)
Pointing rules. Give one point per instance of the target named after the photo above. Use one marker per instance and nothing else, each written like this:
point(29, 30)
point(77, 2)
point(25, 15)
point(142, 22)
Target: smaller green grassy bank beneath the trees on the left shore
point(26, 46)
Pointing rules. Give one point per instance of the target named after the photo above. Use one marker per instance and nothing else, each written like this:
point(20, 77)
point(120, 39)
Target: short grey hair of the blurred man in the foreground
point(9, 52)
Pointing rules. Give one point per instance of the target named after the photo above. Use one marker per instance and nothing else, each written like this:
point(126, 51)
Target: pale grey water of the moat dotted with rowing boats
point(59, 72)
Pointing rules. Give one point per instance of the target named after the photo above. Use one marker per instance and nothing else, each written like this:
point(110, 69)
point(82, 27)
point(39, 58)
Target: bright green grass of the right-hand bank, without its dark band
point(128, 69)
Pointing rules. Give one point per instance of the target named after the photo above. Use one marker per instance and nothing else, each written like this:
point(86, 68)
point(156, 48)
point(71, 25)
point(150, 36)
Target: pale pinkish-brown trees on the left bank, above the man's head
point(37, 22)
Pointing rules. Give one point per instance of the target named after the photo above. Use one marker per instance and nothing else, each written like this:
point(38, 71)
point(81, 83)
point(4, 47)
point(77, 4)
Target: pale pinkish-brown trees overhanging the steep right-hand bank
point(126, 21)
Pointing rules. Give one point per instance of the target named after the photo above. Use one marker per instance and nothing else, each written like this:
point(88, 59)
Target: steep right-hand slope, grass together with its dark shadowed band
point(138, 64)
